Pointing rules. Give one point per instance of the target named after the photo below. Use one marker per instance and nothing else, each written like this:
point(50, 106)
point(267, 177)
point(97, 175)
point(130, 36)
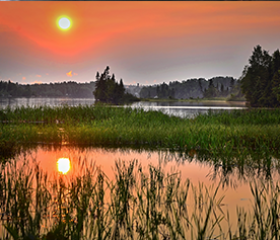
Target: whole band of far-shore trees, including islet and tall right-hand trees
point(259, 85)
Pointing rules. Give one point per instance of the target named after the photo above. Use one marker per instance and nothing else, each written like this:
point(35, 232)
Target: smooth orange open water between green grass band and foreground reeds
point(235, 179)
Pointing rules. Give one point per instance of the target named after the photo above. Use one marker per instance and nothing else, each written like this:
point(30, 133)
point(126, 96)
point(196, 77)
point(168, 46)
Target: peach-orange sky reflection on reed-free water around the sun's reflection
point(236, 191)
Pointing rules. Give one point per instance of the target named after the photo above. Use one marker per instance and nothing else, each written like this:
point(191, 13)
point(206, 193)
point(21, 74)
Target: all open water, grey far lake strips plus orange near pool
point(235, 179)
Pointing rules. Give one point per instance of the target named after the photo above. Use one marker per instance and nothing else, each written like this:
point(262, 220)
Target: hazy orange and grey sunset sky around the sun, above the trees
point(142, 42)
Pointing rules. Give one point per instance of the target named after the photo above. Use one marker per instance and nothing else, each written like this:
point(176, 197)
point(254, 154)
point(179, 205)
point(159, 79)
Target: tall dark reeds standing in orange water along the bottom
point(137, 204)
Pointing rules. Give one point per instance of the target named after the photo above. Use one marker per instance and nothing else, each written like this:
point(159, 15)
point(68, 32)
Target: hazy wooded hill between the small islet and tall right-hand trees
point(195, 88)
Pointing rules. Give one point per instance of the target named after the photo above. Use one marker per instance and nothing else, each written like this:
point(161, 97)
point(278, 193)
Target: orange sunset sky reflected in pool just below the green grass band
point(235, 180)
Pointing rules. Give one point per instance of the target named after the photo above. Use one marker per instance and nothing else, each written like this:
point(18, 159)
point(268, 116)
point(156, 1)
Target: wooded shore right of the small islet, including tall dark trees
point(259, 84)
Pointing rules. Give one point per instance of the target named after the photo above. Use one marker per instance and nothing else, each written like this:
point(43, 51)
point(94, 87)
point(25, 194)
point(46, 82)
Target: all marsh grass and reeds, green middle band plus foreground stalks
point(137, 203)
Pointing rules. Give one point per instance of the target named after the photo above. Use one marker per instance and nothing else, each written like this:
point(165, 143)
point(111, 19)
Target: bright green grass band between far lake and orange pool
point(256, 130)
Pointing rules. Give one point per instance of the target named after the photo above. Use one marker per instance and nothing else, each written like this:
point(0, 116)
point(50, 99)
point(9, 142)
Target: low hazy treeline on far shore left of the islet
point(63, 89)
